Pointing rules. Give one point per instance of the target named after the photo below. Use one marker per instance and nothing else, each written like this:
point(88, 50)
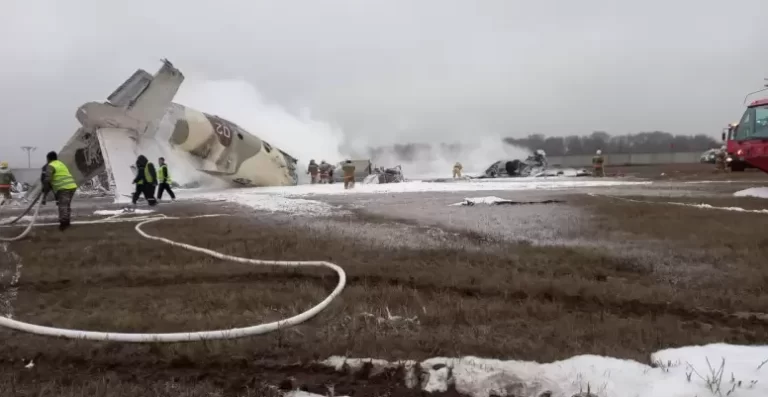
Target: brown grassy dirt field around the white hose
point(622, 278)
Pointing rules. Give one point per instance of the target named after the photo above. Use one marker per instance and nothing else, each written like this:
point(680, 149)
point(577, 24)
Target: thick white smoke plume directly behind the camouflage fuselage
point(299, 135)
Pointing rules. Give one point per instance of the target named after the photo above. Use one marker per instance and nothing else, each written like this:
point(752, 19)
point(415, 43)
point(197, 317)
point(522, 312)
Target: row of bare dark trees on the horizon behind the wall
point(643, 142)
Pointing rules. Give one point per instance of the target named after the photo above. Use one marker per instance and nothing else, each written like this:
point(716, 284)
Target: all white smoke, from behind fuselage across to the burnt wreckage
point(305, 138)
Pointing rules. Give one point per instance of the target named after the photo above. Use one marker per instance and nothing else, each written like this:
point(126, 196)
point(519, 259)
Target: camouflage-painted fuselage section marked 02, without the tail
point(226, 150)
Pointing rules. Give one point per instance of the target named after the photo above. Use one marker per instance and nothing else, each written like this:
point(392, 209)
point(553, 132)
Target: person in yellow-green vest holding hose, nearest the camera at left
point(57, 179)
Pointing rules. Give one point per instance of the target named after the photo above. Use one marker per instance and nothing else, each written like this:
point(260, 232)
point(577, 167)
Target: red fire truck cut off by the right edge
point(747, 140)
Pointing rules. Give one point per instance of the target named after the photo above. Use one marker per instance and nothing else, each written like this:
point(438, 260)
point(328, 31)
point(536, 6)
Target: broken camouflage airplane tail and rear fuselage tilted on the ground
point(139, 117)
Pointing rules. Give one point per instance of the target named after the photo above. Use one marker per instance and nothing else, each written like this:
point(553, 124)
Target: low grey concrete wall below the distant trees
point(628, 159)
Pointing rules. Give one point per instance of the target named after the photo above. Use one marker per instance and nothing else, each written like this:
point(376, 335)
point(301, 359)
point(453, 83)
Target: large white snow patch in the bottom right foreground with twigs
point(711, 370)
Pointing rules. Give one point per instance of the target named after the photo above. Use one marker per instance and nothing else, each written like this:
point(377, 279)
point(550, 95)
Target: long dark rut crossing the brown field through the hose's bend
point(571, 302)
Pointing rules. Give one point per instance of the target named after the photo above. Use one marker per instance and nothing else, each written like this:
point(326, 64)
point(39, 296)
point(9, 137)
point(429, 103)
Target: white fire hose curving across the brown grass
point(233, 333)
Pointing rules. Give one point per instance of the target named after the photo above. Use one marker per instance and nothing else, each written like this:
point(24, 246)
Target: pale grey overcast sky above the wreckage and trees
point(387, 70)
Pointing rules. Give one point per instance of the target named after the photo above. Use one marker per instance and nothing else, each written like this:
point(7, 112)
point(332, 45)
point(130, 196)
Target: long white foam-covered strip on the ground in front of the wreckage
point(289, 198)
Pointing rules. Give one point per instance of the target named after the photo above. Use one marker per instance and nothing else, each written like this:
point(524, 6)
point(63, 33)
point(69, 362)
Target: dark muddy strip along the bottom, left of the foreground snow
point(234, 376)
